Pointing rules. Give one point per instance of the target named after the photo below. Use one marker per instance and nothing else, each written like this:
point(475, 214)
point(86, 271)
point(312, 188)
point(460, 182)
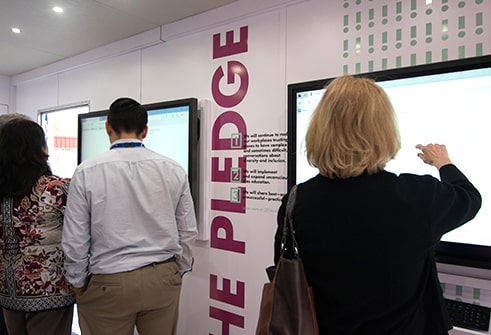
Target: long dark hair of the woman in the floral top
point(23, 156)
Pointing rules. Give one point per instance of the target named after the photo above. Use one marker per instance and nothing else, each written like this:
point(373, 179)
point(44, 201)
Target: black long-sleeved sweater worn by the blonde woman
point(367, 246)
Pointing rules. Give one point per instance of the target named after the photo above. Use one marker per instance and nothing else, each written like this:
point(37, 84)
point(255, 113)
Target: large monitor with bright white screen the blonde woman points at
point(449, 103)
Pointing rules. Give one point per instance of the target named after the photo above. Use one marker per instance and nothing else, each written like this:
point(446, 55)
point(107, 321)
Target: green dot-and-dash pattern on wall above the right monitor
point(382, 34)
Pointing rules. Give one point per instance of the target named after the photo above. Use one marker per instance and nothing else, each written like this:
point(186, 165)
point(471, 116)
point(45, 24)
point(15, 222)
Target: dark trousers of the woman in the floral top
point(50, 322)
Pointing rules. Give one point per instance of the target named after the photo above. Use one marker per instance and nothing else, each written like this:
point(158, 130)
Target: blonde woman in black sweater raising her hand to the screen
point(365, 235)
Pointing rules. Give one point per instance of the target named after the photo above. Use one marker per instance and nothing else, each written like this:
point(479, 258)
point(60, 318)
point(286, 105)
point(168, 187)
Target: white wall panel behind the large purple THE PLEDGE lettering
point(185, 67)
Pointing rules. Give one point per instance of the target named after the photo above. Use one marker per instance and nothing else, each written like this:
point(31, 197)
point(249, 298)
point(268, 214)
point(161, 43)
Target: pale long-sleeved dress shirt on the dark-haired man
point(127, 208)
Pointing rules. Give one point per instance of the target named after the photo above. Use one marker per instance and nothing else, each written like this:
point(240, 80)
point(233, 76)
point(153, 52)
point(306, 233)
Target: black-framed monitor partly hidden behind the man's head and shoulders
point(173, 131)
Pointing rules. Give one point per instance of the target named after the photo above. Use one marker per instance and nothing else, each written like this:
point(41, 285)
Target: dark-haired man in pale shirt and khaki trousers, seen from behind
point(128, 232)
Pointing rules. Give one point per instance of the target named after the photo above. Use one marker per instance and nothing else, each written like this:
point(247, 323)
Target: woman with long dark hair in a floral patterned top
point(34, 295)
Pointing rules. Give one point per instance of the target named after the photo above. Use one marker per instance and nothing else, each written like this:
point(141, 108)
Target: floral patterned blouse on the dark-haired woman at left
point(31, 259)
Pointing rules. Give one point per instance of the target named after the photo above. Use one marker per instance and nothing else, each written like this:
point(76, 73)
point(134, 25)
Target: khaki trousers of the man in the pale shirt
point(147, 298)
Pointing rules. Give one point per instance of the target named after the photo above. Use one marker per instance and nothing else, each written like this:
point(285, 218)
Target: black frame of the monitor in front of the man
point(193, 136)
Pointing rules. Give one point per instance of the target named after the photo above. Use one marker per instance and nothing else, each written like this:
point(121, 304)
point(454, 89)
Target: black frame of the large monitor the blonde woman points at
point(468, 255)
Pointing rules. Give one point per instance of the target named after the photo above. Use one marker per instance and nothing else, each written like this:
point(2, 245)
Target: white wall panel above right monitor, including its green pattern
point(326, 39)
